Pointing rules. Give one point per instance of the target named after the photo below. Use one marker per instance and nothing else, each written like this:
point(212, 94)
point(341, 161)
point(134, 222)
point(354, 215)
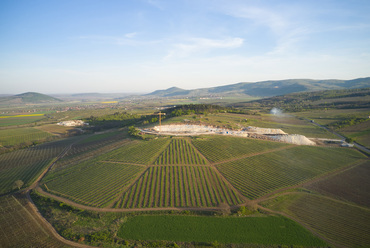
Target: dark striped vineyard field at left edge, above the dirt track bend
point(27, 164)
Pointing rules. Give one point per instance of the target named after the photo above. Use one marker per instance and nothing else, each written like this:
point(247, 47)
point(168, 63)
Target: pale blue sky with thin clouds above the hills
point(138, 46)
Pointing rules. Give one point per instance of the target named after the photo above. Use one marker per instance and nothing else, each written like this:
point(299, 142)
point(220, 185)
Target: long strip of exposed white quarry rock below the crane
point(251, 132)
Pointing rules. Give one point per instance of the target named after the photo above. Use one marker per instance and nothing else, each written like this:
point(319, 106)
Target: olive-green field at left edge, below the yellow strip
point(15, 136)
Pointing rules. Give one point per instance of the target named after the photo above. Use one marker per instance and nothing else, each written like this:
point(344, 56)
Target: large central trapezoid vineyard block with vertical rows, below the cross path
point(179, 186)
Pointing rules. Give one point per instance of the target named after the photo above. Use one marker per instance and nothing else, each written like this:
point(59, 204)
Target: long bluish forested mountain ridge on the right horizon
point(266, 88)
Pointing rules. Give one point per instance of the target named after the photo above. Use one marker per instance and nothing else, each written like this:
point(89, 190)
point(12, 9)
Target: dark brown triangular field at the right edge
point(348, 185)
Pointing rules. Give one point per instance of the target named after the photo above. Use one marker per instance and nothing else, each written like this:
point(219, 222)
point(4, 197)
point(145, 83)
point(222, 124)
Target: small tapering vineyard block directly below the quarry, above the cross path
point(180, 151)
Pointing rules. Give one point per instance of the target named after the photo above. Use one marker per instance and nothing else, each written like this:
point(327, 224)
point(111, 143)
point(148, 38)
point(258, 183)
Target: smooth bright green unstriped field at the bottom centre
point(247, 230)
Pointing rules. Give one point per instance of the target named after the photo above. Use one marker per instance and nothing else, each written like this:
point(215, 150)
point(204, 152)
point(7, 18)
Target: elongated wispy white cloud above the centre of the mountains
point(195, 45)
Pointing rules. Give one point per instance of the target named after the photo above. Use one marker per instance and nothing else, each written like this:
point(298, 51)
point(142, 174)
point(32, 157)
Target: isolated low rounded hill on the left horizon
point(28, 97)
